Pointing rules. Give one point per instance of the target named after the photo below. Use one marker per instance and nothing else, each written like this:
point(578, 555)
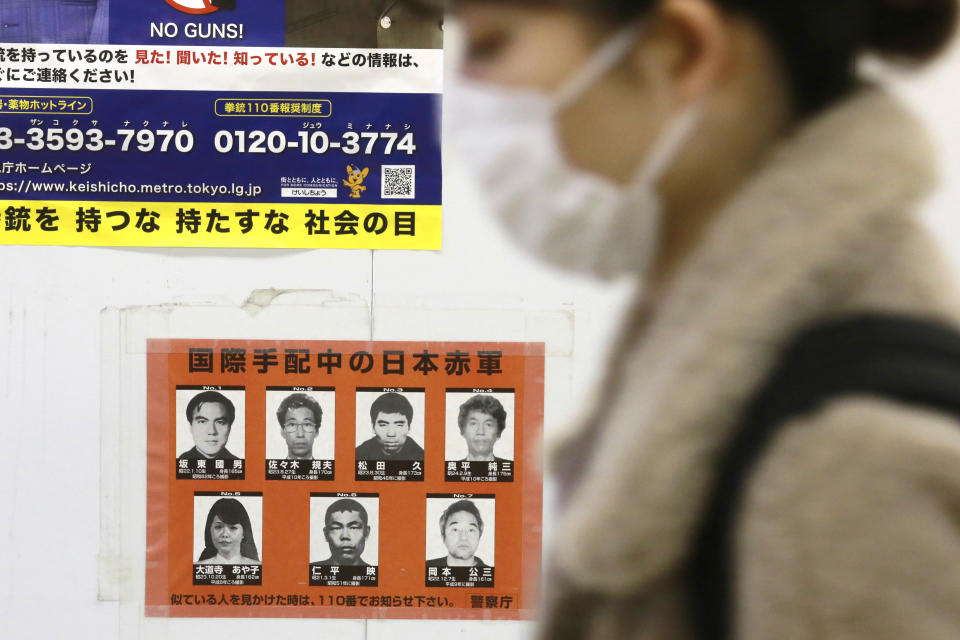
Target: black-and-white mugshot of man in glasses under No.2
point(300, 425)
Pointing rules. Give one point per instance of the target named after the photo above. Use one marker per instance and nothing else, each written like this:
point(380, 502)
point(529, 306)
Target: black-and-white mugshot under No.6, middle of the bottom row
point(343, 531)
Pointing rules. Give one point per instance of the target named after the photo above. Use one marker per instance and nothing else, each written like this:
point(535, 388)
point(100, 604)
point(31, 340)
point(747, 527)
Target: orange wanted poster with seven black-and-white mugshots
point(343, 479)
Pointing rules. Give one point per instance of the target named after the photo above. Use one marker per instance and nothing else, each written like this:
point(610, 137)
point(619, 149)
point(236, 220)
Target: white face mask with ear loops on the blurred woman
point(569, 217)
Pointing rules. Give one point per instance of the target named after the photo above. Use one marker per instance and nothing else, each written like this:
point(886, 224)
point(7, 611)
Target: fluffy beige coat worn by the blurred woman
point(851, 526)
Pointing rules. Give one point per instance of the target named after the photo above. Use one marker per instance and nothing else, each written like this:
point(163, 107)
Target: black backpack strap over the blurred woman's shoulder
point(906, 359)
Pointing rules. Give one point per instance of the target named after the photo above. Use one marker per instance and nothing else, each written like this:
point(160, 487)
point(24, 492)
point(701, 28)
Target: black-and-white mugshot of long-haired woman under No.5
point(227, 529)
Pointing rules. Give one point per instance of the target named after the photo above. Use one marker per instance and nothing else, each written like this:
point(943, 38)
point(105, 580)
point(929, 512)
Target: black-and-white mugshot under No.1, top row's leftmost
point(211, 418)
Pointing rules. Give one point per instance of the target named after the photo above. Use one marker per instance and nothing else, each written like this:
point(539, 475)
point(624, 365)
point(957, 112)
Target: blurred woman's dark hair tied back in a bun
point(818, 41)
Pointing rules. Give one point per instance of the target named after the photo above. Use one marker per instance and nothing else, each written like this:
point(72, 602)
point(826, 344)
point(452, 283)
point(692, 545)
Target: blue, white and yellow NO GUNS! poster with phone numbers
point(221, 123)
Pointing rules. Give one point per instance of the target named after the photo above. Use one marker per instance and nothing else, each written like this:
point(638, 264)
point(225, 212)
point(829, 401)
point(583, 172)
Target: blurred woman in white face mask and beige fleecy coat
point(727, 155)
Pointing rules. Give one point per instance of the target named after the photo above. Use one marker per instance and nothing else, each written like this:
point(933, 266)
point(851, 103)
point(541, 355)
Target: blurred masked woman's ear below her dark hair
point(685, 50)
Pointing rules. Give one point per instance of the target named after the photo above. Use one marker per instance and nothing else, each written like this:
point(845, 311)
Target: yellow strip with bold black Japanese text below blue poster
point(220, 225)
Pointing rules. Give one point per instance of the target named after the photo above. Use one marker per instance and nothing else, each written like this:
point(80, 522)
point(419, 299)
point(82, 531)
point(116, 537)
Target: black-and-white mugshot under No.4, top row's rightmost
point(479, 427)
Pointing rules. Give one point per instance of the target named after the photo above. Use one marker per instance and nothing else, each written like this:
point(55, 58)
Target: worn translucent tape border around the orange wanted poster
point(121, 561)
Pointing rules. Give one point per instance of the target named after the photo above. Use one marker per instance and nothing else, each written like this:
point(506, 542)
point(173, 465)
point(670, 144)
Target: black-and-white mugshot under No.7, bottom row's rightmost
point(466, 529)
